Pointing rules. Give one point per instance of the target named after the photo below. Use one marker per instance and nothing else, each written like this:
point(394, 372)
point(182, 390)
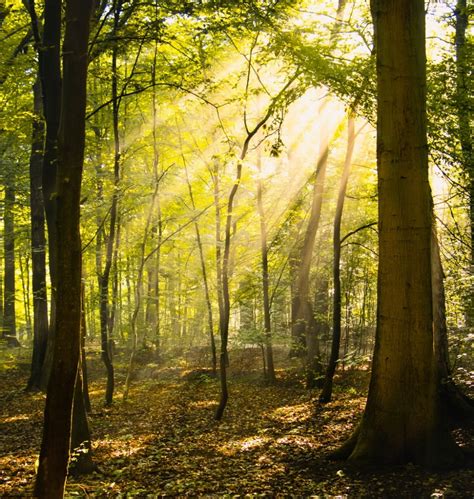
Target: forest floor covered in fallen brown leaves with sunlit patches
point(273, 440)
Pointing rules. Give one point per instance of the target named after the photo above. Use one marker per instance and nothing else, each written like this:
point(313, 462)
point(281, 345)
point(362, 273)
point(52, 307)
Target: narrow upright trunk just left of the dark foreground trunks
point(38, 246)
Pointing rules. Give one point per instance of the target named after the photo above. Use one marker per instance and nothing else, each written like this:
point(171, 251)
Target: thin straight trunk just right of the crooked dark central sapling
point(269, 369)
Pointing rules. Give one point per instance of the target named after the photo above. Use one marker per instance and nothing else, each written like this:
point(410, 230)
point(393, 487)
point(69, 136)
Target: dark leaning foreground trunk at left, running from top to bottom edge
point(54, 455)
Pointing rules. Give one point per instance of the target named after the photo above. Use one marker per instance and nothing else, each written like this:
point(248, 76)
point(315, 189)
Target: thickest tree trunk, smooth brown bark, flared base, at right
point(401, 422)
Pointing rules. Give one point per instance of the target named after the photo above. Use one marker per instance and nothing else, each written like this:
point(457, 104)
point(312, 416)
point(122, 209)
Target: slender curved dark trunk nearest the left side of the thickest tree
point(336, 324)
